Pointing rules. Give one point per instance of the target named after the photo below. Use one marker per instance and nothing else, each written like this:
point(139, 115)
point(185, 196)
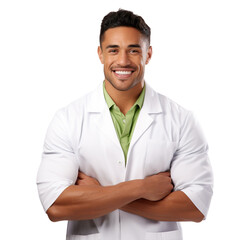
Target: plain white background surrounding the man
point(48, 58)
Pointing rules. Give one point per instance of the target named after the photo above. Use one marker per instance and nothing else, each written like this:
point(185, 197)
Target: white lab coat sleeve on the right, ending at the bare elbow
point(191, 171)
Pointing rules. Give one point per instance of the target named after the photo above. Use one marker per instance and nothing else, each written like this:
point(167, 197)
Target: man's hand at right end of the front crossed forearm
point(157, 187)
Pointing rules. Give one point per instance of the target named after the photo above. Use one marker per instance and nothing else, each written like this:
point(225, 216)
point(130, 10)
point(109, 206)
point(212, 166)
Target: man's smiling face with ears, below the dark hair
point(124, 52)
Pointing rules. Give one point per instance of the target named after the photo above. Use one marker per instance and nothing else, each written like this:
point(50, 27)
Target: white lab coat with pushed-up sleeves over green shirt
point(82, 137)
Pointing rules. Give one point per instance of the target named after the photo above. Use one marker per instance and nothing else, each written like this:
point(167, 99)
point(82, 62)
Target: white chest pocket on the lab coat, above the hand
point(158, 156)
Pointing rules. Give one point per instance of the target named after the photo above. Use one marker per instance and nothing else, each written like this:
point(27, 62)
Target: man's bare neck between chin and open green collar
point(124, 99)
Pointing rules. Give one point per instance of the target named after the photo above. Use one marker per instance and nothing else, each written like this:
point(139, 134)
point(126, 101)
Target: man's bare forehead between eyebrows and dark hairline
point(123, 36)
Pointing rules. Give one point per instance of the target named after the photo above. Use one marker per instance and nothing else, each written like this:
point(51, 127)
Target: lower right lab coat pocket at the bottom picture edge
point(173, 235)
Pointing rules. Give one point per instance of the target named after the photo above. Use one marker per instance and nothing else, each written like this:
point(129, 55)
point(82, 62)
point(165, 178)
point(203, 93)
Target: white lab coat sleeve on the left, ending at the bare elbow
point(58, 169)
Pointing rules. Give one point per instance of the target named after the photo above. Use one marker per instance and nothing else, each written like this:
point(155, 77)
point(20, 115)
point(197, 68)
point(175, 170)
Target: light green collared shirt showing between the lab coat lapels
point(124, 124)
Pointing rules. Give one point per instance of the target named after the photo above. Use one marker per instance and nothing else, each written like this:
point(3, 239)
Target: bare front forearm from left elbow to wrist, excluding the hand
point(88, 202)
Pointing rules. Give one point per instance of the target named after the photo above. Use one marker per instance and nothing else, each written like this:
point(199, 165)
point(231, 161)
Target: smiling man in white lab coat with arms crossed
point(125, 162)
